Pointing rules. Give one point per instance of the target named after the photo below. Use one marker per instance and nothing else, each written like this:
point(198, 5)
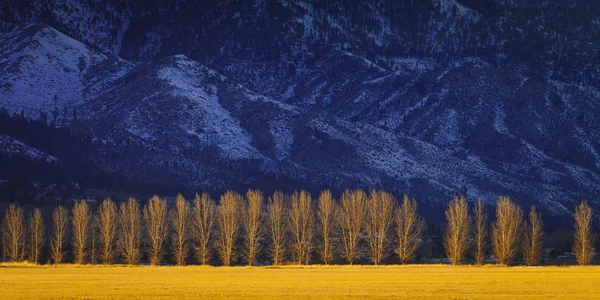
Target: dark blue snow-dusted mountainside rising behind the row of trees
point(432, 98)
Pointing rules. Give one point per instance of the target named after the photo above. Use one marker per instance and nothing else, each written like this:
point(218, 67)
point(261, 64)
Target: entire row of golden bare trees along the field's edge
point(286, 228)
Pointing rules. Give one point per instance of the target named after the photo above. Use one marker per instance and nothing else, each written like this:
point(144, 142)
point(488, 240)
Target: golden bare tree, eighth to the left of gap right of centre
point(228, 218)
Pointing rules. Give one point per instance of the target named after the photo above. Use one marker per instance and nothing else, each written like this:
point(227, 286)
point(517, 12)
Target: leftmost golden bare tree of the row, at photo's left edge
point(15, 233)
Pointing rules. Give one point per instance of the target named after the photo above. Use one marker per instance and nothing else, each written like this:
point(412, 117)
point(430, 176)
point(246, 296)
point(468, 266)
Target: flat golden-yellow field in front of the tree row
point(392, 282)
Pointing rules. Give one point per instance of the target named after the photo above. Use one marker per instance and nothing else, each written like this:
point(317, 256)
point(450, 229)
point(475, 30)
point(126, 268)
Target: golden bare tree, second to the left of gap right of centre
point(380, 218)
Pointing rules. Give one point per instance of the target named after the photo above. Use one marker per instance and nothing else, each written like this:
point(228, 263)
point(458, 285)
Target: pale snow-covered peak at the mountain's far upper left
point(43, 69)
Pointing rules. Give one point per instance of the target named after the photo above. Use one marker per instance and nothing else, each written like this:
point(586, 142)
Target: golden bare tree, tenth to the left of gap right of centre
point(180, 221)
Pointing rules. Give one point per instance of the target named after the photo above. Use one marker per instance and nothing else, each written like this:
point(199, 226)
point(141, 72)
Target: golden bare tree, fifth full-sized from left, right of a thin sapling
point(107, 227)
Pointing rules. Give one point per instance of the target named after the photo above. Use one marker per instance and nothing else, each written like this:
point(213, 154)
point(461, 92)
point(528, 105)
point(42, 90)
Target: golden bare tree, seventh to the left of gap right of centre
point(253, 223)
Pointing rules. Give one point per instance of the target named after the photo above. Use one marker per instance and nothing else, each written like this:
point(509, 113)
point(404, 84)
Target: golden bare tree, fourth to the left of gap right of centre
point(327, 208)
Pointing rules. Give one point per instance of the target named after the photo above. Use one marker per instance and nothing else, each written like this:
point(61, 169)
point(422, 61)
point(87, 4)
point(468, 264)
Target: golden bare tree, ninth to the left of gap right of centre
point(204, 218)
